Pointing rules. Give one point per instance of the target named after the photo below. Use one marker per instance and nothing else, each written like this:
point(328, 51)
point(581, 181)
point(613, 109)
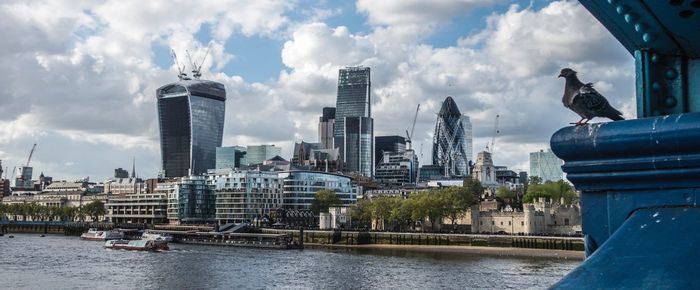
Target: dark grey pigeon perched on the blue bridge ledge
point(585, 101)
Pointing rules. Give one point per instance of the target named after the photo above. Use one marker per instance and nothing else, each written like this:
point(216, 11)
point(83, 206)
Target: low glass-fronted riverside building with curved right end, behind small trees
point(299, 188)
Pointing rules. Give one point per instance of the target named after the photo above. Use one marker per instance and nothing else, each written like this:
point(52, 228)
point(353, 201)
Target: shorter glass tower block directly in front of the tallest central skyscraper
point(359, 154)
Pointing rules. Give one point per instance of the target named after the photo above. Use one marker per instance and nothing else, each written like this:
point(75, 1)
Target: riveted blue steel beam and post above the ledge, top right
point(663, 37)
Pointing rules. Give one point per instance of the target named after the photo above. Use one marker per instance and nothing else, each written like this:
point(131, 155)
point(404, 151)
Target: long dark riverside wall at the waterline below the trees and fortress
point(389, 238)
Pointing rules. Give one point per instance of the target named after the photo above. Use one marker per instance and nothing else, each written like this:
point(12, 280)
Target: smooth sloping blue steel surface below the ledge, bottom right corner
point(655, 249)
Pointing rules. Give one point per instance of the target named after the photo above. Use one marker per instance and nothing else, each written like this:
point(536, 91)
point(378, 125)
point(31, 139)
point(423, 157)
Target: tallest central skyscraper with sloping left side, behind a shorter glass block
point(353, 99)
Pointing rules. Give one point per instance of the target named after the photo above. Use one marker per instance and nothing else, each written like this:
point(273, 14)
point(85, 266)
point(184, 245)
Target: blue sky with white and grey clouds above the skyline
point(79, 77)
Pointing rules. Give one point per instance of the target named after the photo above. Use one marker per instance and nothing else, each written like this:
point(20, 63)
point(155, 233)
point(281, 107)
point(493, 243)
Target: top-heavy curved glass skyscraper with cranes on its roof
point(191, 120)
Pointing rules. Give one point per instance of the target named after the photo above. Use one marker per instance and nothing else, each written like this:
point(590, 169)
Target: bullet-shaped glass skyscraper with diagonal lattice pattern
point(449, 142)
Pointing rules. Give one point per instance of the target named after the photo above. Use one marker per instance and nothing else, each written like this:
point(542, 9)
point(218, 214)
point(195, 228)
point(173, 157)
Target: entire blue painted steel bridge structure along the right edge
point(640, 179)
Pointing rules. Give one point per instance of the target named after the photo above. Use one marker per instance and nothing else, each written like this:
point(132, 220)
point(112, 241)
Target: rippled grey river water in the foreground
point(59, 262)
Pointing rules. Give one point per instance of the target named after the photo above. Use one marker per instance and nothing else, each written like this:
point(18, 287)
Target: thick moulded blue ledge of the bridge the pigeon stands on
point(622, 166)
